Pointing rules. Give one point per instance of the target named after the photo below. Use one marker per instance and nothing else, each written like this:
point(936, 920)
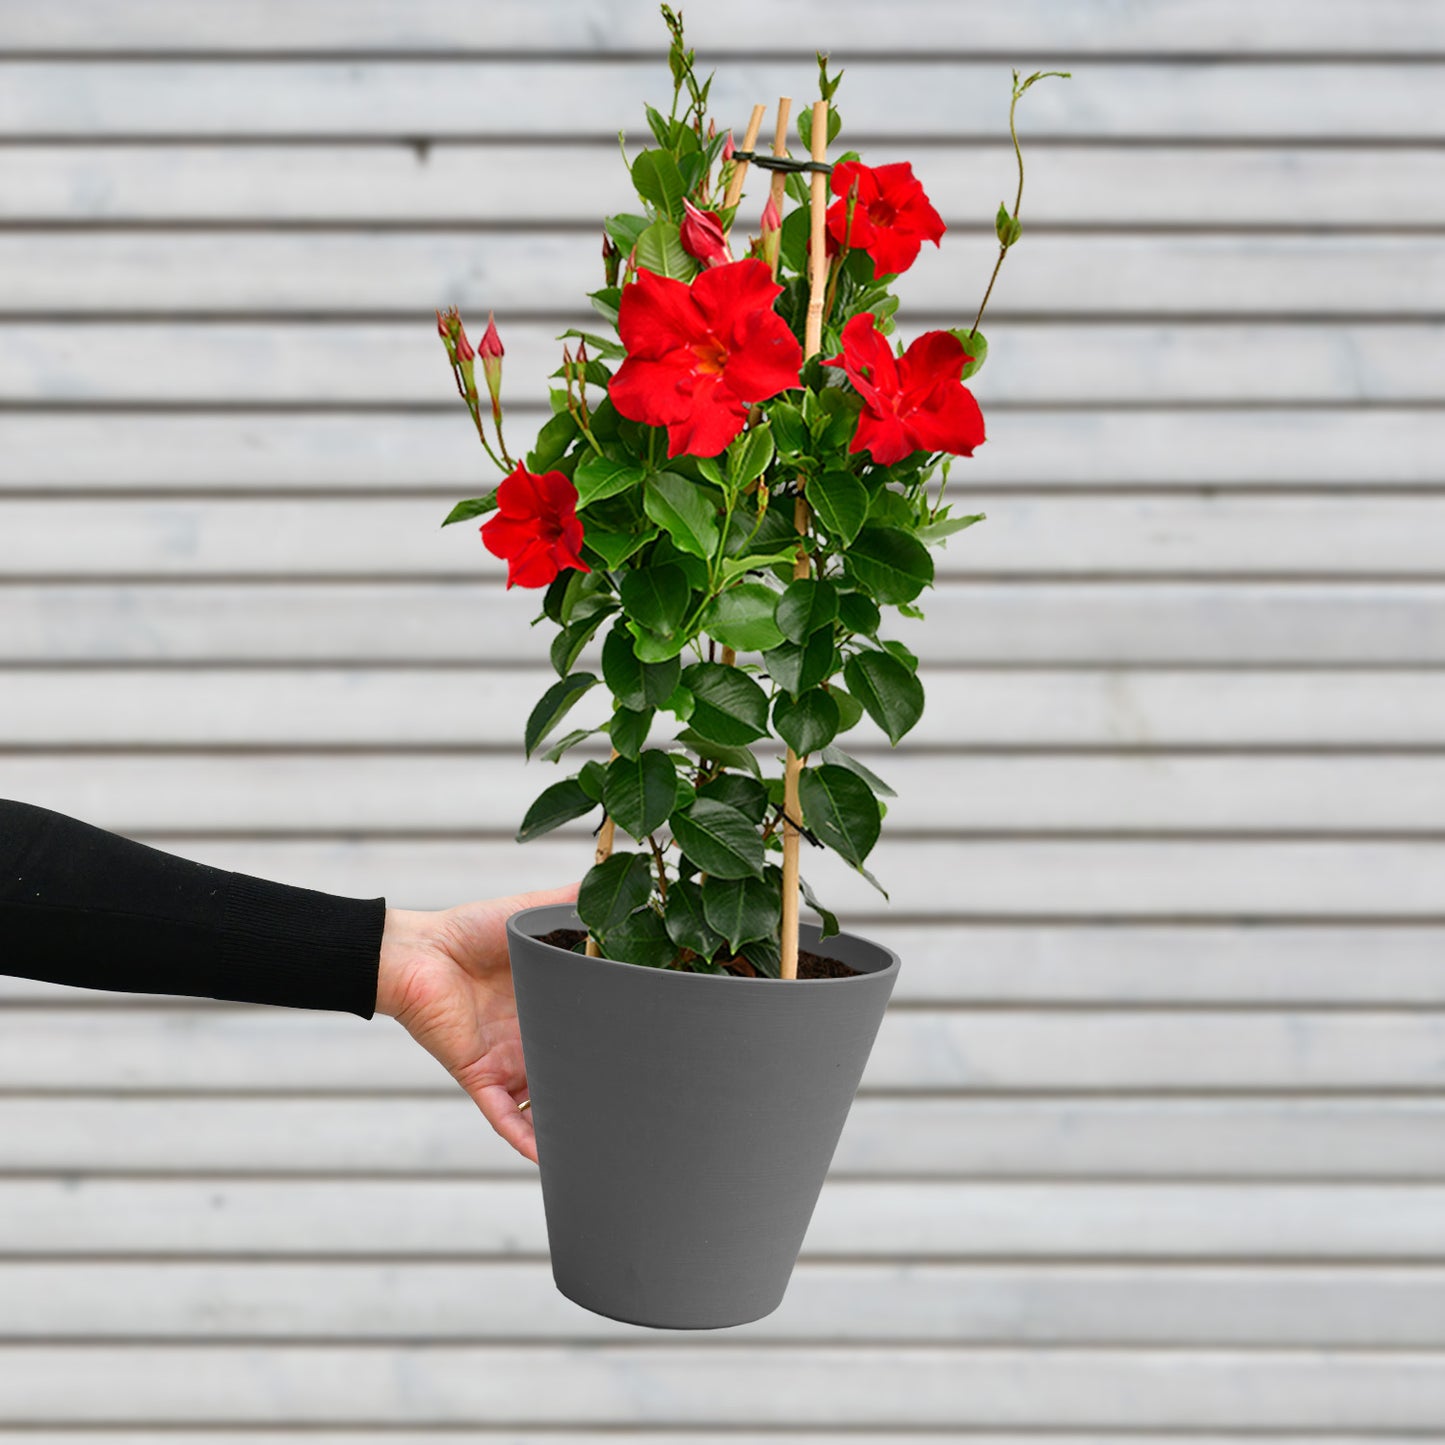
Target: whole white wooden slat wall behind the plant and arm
point(1152, 1147)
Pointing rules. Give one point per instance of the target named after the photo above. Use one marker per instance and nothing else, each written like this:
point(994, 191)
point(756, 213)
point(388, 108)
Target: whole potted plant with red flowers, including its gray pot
point(733, 491)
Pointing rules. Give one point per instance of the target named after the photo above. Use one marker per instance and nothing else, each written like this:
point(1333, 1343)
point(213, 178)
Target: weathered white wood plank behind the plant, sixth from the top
point(405, 452)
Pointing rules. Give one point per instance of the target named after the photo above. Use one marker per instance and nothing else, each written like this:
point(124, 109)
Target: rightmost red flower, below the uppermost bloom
point(915, 402)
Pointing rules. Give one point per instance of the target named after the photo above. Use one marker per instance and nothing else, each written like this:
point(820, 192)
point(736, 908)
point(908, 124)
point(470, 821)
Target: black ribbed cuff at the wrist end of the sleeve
point(298, 949)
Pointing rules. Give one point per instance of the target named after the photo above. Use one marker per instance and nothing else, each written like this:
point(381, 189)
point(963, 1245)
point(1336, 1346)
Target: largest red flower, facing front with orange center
point(699, 356)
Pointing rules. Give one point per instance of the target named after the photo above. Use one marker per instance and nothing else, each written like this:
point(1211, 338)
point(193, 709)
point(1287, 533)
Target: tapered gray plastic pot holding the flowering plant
point(686, 1122)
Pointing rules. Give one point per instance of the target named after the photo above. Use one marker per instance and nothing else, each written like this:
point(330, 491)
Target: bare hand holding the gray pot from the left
point(447, 979)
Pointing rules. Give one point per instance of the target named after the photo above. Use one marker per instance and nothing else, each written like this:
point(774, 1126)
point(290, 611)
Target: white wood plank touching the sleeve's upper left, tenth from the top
point(937, 795)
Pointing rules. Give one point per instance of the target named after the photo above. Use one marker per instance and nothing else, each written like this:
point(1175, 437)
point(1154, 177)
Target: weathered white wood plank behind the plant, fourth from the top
point(56, 274)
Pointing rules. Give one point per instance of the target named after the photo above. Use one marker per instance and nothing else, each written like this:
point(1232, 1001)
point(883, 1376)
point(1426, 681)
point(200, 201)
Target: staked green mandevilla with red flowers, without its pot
point(730, 496)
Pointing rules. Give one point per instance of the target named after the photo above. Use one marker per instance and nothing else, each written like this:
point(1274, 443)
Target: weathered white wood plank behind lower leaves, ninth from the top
point(467, 709)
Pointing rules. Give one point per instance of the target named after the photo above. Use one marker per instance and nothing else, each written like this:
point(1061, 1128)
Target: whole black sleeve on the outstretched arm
point(87, 908)
